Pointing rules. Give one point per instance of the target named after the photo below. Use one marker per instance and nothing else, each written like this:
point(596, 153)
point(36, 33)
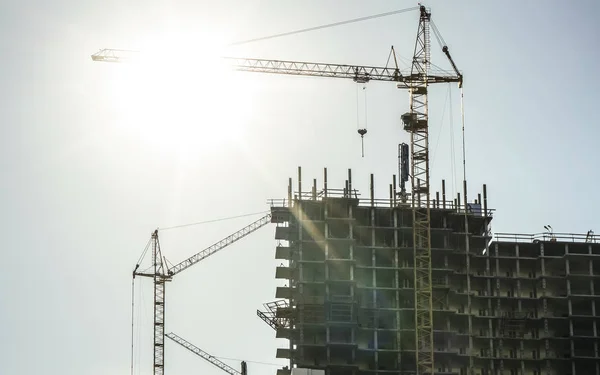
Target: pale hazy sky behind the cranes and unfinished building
point(96, 156)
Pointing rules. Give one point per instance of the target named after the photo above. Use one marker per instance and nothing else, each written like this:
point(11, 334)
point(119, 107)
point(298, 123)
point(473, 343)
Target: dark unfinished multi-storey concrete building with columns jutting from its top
point(512, 304)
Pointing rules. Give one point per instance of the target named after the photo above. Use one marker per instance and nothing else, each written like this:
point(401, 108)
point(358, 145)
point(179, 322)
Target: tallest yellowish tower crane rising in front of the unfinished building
point(415, 122)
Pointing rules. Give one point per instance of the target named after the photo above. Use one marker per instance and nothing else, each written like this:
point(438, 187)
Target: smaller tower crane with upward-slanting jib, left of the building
point(162, 274)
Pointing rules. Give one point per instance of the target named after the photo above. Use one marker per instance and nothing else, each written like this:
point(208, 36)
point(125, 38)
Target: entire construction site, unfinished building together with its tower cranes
point(414, 282)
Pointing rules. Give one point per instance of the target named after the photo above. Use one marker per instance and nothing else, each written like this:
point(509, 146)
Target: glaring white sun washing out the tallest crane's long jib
point(179, 98)
